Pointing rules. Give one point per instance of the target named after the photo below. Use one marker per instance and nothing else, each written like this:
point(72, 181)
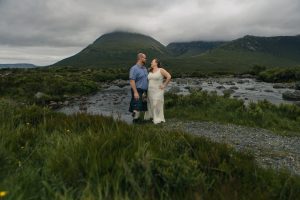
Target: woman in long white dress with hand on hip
point(156, 87)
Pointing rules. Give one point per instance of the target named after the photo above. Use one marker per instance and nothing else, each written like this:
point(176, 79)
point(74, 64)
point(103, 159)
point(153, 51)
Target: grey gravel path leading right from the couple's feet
point(269, 150)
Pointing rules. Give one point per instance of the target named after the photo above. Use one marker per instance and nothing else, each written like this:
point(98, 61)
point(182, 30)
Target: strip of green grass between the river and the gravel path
point(283, 119)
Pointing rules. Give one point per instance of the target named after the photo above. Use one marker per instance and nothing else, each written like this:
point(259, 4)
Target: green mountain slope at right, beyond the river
point(241, 54)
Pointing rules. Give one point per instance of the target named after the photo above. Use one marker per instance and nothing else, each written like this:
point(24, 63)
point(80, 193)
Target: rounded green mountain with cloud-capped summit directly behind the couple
point(117, 49)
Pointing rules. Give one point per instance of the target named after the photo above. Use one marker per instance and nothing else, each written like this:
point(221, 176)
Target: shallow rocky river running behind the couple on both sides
point(114, 99)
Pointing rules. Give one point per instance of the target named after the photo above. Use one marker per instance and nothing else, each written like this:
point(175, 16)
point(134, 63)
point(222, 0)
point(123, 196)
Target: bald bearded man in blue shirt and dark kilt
point(138, 77)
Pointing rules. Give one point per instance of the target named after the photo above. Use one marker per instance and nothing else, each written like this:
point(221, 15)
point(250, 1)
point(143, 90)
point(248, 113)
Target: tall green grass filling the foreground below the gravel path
point(47, 155)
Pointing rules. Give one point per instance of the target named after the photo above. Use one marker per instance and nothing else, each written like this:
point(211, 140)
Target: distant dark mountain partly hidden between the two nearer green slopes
point(192, 48)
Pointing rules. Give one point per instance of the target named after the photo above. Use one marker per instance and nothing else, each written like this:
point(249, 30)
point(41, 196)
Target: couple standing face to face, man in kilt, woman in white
point(147, 89)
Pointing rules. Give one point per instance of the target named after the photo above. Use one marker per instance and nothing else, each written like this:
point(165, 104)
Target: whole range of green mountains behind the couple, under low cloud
point(119, 49)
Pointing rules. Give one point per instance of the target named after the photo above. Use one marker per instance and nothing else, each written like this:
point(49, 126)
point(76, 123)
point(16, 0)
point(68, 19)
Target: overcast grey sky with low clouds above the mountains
point(43, 32)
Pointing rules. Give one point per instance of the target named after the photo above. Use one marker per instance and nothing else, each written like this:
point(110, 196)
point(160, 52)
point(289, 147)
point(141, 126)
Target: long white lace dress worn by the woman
point(155, 98)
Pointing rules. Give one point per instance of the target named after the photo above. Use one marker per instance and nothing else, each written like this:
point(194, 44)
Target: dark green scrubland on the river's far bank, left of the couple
point(56, 84)
